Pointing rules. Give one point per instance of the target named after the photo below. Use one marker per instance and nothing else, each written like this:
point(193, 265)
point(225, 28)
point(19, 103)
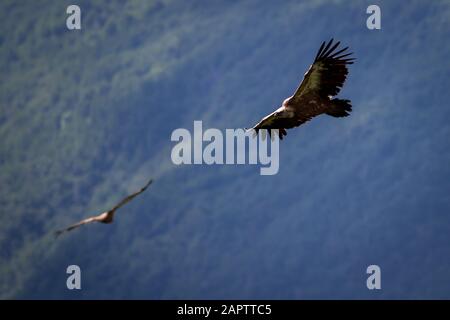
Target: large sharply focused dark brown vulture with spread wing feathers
point(315, 95)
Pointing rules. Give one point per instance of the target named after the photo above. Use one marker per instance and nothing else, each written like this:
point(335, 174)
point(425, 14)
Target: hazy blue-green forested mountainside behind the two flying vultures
point(86, 117)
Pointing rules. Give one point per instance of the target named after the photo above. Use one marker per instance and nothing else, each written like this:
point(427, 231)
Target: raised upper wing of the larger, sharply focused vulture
point(326, 76)
